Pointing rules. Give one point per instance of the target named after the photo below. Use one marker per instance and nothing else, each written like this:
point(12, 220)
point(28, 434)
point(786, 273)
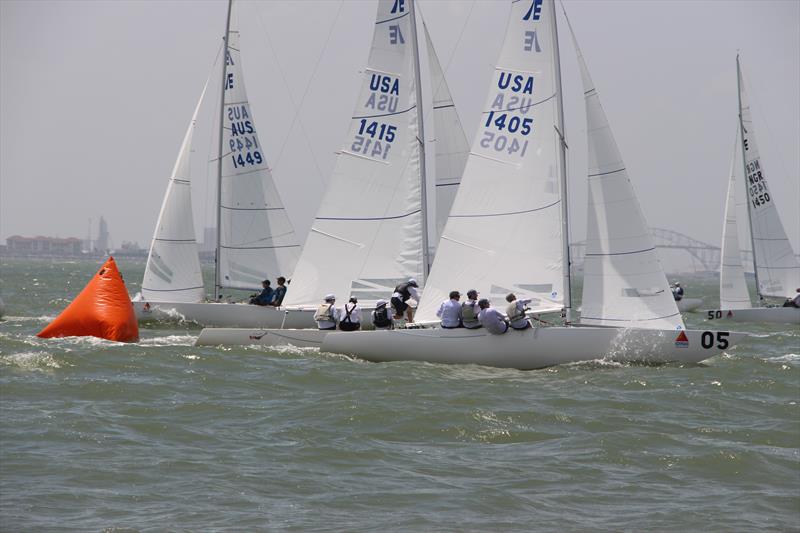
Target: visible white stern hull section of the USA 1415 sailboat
point(302, 338)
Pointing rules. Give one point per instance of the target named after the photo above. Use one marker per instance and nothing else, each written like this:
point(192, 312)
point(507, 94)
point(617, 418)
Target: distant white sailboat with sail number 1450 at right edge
point(776, 268)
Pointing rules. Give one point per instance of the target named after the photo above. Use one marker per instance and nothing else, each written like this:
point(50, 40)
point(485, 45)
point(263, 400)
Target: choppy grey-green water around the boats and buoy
point(161, 435)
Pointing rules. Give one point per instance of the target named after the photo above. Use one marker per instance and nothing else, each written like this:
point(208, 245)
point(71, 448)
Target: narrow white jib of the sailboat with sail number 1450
point(732, 284)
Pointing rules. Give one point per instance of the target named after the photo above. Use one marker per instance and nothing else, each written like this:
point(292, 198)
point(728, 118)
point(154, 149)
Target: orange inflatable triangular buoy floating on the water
point(102, 309)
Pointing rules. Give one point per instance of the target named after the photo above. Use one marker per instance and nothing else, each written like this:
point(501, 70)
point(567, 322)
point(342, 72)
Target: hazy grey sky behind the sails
point(96, 97)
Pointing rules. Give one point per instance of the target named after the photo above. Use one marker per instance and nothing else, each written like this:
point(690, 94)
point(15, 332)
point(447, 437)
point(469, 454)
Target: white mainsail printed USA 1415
point(367, 235)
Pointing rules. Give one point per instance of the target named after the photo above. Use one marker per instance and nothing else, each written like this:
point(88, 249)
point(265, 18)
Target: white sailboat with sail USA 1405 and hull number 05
point(628, 311)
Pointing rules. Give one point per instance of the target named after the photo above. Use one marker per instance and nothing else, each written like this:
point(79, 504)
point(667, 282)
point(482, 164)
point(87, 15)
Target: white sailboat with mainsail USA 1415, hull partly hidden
point(371, 230)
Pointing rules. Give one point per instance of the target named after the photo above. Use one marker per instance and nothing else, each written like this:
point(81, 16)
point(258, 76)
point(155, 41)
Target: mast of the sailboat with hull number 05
point(562, 156)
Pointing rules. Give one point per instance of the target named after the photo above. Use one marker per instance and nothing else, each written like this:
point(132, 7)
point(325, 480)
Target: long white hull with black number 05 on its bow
point(532, 348)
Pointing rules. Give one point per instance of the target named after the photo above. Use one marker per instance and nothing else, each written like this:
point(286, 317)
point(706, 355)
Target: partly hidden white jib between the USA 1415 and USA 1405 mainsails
point(451, 146)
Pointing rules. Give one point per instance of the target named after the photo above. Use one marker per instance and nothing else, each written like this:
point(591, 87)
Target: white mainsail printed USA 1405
point(504, 230)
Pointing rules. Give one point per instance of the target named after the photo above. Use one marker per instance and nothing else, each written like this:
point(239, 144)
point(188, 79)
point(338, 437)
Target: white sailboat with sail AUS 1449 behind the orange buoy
point(255, 238)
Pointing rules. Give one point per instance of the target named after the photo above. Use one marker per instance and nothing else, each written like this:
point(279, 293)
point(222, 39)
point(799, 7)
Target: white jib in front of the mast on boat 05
point(624, 284)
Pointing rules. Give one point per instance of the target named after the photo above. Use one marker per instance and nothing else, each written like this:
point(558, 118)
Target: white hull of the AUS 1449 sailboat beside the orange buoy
point(225, 315)
